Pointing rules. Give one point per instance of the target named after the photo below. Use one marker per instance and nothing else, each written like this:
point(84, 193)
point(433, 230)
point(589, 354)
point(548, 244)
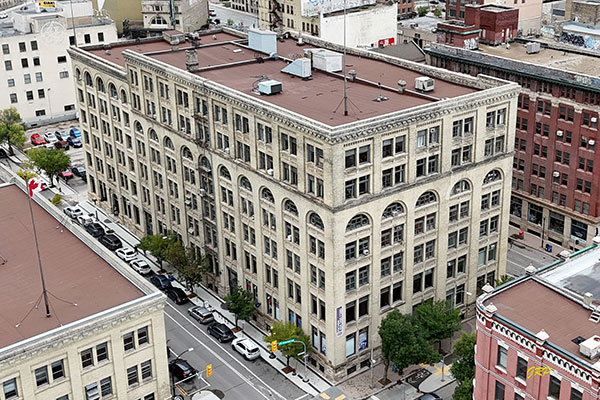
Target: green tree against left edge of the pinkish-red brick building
point(463, 369)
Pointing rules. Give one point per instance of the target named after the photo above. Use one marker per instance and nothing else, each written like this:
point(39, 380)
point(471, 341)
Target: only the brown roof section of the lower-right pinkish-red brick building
point(535, 306)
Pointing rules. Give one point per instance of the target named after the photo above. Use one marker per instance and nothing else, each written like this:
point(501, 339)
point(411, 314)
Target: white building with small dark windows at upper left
point(35, 73)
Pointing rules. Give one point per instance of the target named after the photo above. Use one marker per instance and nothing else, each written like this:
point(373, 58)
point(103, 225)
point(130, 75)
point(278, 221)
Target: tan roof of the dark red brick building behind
point(566, 67)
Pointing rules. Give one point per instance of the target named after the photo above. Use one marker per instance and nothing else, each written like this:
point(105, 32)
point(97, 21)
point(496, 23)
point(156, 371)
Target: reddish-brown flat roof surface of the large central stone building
point(319, 98)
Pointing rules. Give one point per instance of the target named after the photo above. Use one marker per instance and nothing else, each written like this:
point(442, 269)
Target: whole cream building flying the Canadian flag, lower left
point(105, 332)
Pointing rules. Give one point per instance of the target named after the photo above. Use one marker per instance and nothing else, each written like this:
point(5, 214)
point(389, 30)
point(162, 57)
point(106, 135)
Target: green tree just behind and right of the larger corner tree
point(438, 320)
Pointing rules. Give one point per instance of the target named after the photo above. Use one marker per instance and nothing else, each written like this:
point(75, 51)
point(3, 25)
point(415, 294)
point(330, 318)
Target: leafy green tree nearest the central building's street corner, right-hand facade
point(403, 342)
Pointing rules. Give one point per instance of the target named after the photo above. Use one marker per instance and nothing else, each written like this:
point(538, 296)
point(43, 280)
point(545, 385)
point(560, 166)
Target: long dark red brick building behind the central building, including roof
point(555, 194)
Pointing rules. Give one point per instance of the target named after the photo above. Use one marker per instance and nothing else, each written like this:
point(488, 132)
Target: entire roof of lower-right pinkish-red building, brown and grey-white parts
point(552, 300)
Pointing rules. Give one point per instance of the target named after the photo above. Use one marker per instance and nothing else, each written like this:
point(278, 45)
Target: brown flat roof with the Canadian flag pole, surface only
point(72, 271)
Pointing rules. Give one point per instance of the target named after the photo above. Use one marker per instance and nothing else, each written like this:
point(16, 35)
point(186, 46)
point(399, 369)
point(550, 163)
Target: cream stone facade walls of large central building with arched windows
point(333, 209)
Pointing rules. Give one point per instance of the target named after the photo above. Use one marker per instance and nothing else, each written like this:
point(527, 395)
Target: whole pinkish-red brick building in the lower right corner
point(537, 336)
